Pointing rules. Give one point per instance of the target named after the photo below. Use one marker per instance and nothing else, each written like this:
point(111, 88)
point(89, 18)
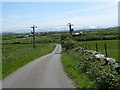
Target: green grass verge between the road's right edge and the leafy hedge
point(81, 80)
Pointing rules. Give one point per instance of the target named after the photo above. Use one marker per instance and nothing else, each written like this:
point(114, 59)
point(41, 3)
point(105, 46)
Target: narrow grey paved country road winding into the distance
point(44, 72)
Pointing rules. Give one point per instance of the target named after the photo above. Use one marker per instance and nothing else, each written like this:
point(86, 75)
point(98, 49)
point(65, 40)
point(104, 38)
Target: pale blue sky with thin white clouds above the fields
point(20, 16)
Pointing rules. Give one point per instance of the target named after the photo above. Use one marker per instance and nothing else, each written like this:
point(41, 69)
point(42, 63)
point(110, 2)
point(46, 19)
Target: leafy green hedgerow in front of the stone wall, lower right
point(104, 76)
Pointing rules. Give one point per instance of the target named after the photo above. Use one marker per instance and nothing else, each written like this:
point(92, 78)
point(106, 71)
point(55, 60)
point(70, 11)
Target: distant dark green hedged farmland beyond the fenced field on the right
point(92, 35)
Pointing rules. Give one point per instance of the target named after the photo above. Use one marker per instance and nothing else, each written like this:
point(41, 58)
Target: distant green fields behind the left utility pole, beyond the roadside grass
point(38, 39)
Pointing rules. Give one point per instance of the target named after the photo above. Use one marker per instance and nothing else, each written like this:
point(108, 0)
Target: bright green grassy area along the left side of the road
point(16, 55)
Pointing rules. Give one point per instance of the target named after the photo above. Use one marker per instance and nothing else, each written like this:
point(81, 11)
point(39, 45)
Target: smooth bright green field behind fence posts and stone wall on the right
point(112, 47)
